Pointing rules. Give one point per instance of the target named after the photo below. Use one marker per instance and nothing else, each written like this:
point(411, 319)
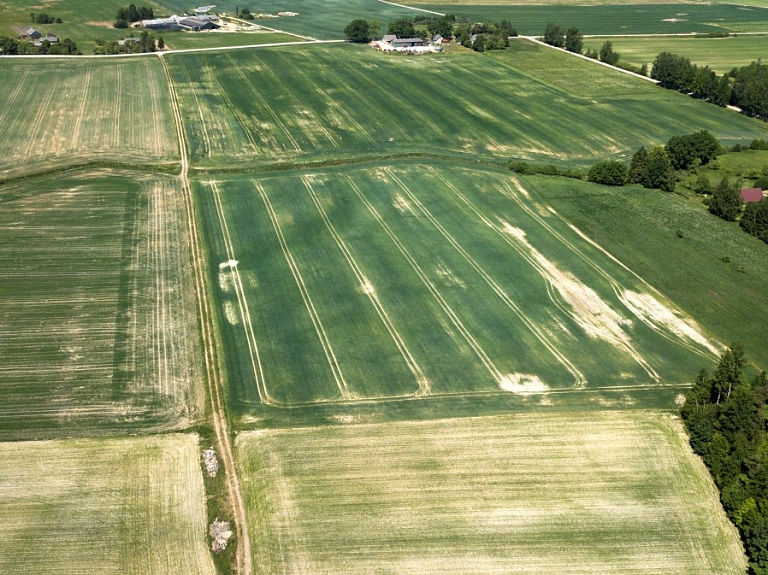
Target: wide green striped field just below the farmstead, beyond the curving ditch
point(314, 103)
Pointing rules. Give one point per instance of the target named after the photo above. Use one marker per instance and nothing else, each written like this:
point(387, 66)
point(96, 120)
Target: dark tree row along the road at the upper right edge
point(745, 87)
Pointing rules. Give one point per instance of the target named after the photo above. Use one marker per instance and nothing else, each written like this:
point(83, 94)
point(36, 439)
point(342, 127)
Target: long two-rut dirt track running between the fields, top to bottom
point(212, 374)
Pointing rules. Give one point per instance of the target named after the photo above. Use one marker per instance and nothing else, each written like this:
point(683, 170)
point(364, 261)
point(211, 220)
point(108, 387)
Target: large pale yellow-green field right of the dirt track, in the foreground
point(611, 492)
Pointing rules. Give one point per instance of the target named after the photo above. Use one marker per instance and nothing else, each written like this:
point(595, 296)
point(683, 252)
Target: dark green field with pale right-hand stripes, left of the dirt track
point(98, 322)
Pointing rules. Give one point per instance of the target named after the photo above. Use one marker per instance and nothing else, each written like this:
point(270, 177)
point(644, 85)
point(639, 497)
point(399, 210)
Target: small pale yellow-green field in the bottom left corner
point(107, 506)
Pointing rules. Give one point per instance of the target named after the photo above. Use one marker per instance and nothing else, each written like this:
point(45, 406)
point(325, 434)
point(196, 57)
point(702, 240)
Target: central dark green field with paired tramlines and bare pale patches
point(421, 280)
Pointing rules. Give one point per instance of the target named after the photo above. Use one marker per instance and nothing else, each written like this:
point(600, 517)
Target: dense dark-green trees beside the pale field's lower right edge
point(727, 421)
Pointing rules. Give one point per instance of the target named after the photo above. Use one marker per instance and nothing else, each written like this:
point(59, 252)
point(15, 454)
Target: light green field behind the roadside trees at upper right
point(720, 54)
